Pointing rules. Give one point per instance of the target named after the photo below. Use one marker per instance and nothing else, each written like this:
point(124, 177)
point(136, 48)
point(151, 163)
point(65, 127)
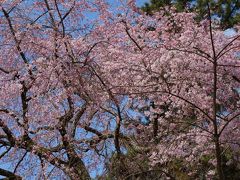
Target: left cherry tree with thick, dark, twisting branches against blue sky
point(55, 108)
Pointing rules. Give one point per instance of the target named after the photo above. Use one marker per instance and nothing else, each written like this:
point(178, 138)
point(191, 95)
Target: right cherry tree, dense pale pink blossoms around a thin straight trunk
point(190, 72)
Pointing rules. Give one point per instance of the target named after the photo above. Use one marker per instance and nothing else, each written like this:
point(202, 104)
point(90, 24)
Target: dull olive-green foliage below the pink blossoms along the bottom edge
point(136, 165)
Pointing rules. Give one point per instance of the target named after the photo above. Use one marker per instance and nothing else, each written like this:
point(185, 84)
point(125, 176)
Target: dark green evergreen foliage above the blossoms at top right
point(228, 11)
